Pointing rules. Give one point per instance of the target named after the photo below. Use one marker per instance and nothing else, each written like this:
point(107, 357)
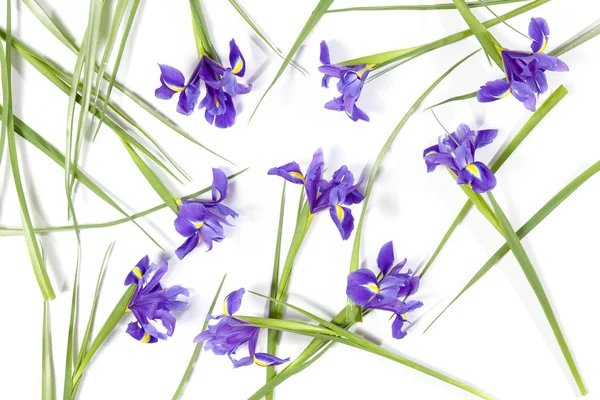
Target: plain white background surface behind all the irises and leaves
point(495, 337)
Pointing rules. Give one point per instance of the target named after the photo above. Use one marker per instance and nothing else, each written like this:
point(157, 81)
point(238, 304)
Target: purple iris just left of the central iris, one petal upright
point(203, 219)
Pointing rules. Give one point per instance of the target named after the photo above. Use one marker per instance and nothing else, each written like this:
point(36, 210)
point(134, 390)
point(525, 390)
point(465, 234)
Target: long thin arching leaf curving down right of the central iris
point(354, 260)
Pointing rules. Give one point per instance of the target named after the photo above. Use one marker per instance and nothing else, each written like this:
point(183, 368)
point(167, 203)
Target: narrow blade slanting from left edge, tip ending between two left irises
point(55, 155)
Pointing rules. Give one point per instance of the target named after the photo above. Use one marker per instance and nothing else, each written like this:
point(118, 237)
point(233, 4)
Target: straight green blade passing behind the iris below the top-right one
point(500, 158)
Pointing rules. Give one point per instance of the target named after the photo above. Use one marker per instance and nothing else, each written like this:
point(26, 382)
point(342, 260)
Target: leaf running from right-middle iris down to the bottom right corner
point(534, 281)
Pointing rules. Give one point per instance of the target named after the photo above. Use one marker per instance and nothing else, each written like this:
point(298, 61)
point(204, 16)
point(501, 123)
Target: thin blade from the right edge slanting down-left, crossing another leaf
point(531, 224)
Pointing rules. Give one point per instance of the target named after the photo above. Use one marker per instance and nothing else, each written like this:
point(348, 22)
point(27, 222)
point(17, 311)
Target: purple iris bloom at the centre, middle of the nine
point(334, 195)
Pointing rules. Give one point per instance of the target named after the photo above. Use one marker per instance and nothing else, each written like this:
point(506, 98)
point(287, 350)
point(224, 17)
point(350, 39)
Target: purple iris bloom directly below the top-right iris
point(456, 151)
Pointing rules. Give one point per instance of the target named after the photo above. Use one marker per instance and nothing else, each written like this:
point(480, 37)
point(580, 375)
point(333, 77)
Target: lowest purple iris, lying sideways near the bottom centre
point(229, 333)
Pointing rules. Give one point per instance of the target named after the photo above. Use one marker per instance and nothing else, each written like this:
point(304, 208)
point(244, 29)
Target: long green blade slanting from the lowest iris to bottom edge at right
point(364, 344)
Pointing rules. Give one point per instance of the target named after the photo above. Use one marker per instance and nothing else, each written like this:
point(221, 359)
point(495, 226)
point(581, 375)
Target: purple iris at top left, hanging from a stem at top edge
point(220, 82)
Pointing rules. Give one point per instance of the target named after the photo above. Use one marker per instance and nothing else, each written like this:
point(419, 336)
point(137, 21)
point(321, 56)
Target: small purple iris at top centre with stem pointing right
point(351, 80)
